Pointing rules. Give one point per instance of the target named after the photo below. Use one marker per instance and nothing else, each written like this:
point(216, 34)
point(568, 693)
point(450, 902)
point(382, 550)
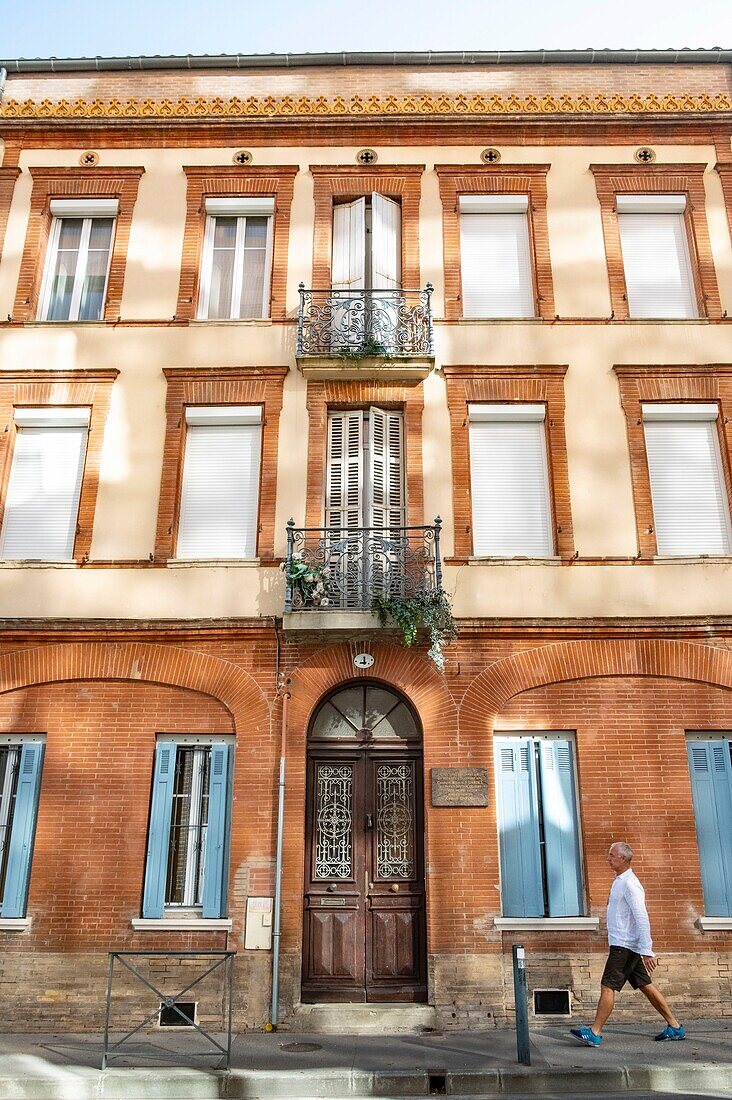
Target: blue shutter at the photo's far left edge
point(20, 852)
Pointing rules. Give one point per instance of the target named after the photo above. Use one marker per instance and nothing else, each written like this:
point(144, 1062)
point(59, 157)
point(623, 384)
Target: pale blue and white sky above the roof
point(90, 28)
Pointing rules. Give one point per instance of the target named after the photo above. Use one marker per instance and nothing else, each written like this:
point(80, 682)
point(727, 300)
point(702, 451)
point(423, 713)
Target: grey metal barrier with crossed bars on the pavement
point(223, 960)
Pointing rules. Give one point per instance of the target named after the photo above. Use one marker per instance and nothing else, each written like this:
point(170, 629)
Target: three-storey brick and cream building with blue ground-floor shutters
point(363, 293)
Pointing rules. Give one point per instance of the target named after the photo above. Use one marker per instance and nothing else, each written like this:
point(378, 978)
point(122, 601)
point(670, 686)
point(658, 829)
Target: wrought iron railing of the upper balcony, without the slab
point(359, 324)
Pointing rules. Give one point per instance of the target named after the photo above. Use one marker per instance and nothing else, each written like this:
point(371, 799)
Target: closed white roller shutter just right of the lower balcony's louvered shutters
point(510, 481)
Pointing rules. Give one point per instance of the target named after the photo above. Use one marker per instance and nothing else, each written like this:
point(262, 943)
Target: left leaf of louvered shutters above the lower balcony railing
point(345, 475)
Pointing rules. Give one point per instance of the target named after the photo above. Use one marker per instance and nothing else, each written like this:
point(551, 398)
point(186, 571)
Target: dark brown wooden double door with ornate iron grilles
point(365, 936)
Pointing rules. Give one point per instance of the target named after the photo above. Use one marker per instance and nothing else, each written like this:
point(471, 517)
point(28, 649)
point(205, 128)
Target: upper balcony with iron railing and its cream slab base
point(366, 334)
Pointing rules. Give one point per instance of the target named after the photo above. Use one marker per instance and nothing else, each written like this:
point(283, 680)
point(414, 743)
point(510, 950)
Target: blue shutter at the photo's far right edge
point(712, 788)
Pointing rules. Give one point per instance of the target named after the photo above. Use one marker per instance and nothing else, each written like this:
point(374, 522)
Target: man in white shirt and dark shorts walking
point(631, 956)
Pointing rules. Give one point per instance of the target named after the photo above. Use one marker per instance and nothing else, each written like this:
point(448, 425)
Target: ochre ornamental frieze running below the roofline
point(340, 107)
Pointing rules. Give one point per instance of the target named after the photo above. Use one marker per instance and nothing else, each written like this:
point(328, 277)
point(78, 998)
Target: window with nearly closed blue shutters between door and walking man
point(539, 829)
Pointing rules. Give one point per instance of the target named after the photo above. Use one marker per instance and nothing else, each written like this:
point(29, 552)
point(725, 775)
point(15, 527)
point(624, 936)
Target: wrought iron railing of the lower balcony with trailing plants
point(344, 568)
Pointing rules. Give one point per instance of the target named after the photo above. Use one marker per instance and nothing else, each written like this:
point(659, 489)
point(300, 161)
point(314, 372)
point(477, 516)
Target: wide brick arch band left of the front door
point(228, 684)
